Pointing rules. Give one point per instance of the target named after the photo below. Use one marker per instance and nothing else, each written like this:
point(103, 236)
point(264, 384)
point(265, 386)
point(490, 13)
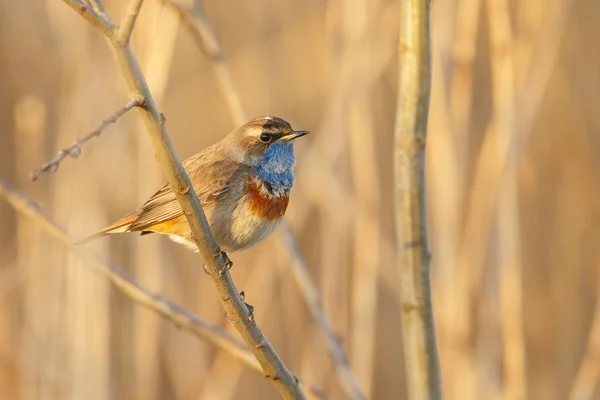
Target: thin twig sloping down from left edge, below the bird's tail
point(181, 317)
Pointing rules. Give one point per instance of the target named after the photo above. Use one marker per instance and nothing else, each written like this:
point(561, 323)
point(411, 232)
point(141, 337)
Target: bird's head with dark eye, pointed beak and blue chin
point(265, 141)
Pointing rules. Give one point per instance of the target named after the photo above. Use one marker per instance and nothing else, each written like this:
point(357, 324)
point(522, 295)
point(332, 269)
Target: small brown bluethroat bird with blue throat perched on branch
point(243, 183)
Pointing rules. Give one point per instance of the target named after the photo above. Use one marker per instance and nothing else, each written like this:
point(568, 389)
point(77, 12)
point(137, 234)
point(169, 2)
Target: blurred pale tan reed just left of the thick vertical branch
point(356, 23)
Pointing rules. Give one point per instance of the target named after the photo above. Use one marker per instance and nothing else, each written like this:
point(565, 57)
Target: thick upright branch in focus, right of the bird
point(418, 332)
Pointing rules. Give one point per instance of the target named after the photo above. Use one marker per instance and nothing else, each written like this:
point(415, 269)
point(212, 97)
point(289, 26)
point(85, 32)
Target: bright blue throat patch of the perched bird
point(276, 167)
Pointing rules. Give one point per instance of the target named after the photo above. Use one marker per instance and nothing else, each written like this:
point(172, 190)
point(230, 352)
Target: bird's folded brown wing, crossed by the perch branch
point(212, 179)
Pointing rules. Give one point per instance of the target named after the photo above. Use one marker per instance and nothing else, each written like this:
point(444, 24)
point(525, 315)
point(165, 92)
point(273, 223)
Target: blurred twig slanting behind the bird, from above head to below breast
point(206, 39)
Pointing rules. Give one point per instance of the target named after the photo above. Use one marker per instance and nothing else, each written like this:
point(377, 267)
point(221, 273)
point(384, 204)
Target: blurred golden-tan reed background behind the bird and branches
point(512, 183)
